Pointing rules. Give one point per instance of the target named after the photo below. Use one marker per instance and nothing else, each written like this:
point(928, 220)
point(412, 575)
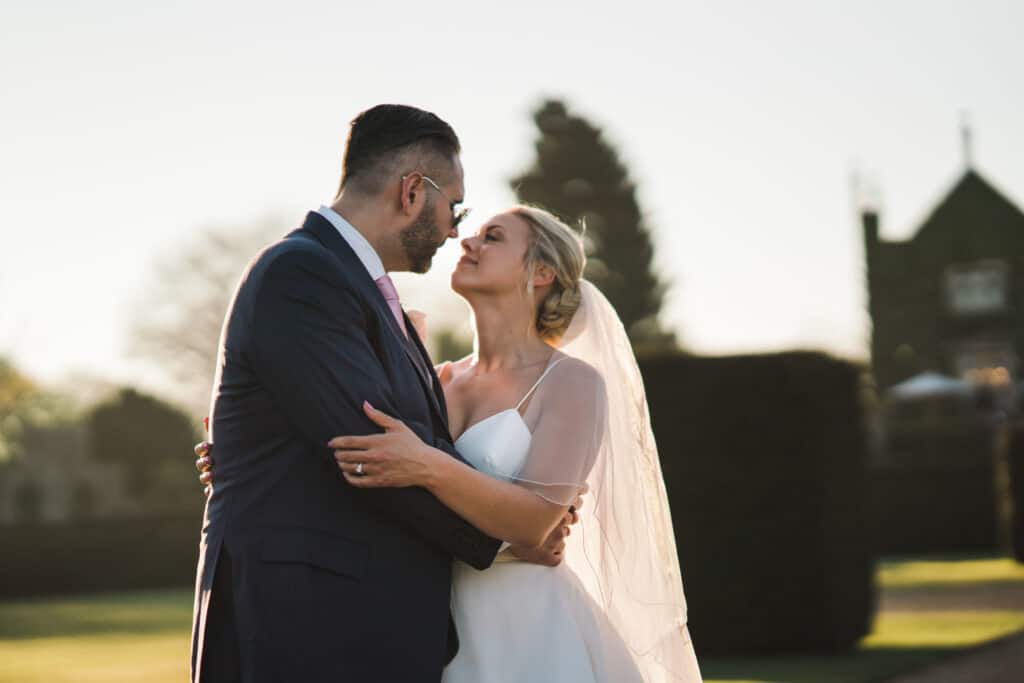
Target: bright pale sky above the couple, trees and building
point(129, 126)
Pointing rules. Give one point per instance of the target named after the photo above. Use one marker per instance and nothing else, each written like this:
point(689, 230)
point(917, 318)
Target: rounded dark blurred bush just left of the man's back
point(152, 441)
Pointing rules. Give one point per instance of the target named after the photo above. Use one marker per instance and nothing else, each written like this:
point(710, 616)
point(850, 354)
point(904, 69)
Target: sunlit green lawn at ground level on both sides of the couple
point(144, 636)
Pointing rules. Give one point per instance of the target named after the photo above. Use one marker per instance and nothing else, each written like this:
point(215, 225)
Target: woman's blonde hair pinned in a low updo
point(561, 248)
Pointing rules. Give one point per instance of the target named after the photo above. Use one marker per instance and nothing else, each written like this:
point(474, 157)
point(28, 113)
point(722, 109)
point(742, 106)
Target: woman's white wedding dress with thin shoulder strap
point(525, 623)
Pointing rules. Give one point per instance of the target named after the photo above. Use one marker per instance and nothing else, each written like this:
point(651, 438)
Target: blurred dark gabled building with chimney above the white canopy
point(951, 300)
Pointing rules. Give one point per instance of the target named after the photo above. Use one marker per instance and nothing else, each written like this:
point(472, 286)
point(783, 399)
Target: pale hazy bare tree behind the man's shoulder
point(178, 321)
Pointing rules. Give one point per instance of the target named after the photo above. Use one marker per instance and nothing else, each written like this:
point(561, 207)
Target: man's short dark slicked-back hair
point(386, 136)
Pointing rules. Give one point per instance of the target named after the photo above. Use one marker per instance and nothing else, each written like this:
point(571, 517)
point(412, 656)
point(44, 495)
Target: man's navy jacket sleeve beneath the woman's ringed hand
point(312, 351)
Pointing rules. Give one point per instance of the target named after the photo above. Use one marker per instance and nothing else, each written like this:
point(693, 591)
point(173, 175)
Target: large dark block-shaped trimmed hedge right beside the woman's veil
point(765, 463)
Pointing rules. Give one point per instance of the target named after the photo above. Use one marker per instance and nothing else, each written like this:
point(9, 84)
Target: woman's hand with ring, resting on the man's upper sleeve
point(396, 459)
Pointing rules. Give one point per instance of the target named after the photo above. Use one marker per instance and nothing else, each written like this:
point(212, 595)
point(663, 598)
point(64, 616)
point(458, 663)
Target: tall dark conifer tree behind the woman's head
point(579, 177)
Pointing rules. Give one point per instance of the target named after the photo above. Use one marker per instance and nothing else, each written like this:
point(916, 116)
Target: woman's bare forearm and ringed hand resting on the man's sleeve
point(399, 458)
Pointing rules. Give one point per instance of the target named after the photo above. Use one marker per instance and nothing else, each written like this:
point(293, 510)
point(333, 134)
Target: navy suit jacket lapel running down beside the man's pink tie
point(327, 235)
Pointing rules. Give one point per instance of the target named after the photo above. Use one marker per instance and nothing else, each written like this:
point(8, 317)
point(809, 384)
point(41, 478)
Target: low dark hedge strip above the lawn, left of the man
point(99, 556)
